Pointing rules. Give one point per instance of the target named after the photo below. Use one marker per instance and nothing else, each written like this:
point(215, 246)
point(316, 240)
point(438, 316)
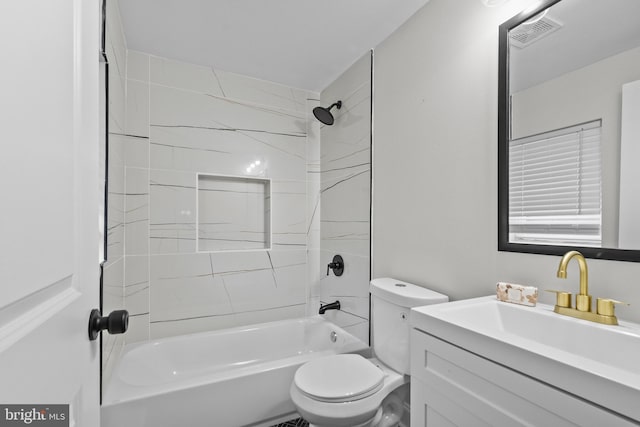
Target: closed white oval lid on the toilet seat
point(339, 378)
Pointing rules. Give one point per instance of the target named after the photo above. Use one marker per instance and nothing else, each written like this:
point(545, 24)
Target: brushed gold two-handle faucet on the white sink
point(605, 307)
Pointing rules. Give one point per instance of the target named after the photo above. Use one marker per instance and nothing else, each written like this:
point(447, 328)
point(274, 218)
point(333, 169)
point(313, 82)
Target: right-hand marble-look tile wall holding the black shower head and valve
point(345, 168)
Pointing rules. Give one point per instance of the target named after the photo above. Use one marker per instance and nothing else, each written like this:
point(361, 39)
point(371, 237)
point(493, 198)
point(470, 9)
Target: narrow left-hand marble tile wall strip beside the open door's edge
point(113, 278)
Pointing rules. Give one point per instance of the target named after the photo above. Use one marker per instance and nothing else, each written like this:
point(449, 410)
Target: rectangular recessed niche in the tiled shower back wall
point(234, 213)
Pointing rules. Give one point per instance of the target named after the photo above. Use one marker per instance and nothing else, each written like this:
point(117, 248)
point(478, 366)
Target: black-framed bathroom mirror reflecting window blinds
point(568, 138)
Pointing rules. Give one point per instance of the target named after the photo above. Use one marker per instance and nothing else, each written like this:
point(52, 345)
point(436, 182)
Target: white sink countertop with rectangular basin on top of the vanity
point(594, 361)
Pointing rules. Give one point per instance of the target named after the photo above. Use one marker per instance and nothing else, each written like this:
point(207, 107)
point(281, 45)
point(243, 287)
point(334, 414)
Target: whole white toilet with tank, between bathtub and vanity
point(347, 390)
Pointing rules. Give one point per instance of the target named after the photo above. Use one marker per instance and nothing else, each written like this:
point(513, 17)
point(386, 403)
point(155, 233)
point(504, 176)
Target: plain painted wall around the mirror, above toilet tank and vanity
point(435, 163)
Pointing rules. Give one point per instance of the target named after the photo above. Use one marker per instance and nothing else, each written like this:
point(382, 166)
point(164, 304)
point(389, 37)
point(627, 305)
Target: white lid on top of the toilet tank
point(404, 294)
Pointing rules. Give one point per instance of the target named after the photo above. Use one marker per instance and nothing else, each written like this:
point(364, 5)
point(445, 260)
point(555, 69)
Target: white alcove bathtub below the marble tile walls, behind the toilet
point(229, 378)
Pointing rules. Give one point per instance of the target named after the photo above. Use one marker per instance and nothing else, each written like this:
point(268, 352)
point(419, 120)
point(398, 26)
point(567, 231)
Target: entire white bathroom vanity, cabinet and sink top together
point(483, 362)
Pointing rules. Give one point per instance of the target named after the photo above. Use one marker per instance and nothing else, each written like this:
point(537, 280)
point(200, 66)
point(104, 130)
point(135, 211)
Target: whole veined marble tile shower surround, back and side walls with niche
point(230, 207)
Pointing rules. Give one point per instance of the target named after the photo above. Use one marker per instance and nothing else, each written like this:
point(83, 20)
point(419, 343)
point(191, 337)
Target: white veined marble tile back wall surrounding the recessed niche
point(182, 121)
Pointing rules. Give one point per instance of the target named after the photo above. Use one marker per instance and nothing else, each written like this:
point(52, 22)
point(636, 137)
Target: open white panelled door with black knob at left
point(49, 277)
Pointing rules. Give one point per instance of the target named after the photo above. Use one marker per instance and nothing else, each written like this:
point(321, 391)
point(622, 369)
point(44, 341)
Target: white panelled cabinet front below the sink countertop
point(468, 390)
